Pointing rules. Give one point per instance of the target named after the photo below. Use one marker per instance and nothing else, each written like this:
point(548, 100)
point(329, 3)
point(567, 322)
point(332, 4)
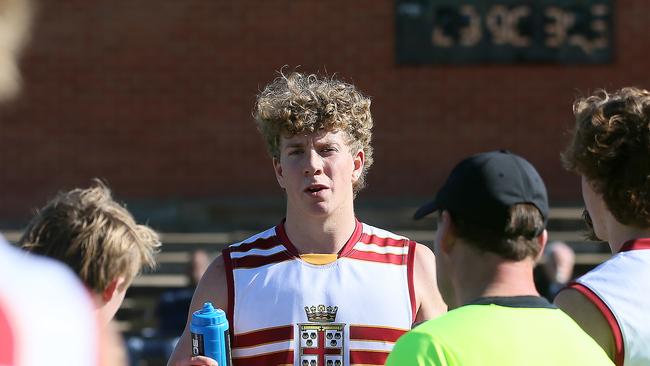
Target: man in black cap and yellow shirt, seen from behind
point(493, 211)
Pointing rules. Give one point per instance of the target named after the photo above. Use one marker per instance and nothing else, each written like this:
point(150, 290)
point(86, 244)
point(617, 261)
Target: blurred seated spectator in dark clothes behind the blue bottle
point(171, 315)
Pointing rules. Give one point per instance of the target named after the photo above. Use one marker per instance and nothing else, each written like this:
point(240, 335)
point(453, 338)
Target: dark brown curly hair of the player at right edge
point(611, 149)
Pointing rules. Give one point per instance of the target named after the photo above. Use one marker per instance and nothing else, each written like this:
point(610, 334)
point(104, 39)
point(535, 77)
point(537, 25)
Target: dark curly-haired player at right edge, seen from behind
point(610, 150)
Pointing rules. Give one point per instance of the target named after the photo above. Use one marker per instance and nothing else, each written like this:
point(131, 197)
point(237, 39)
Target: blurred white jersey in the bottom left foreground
point(46, 316)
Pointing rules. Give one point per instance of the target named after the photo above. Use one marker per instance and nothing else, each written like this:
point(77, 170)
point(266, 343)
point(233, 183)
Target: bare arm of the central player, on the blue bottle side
point(212, 288)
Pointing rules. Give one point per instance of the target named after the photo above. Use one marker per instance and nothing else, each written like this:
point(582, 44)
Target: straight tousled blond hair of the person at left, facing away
point(94, 235)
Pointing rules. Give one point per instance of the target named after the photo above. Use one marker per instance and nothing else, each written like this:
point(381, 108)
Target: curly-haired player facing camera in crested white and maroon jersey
point(320, 288)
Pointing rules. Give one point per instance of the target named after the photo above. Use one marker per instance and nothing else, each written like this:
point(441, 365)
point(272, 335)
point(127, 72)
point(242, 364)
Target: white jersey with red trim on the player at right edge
point(620, 288)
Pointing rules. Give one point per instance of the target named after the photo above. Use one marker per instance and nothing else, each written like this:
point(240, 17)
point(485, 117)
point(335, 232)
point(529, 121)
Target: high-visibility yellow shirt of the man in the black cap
point(508, 331)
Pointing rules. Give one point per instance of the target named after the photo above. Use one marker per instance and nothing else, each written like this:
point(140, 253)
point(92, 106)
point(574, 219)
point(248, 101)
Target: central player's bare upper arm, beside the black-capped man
point(429, 303)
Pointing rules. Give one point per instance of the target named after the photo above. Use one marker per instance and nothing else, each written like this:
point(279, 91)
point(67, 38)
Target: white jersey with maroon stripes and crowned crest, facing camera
point(286, 311)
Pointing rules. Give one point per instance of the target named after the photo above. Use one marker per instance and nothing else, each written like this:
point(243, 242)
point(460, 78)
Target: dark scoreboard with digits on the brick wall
point(503, 31)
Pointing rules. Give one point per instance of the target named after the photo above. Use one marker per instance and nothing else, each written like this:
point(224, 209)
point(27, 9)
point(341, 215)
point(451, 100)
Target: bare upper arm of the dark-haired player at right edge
point(587, 315)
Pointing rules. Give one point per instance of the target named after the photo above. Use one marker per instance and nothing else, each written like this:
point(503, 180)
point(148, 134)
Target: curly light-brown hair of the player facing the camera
point(302, 104)
